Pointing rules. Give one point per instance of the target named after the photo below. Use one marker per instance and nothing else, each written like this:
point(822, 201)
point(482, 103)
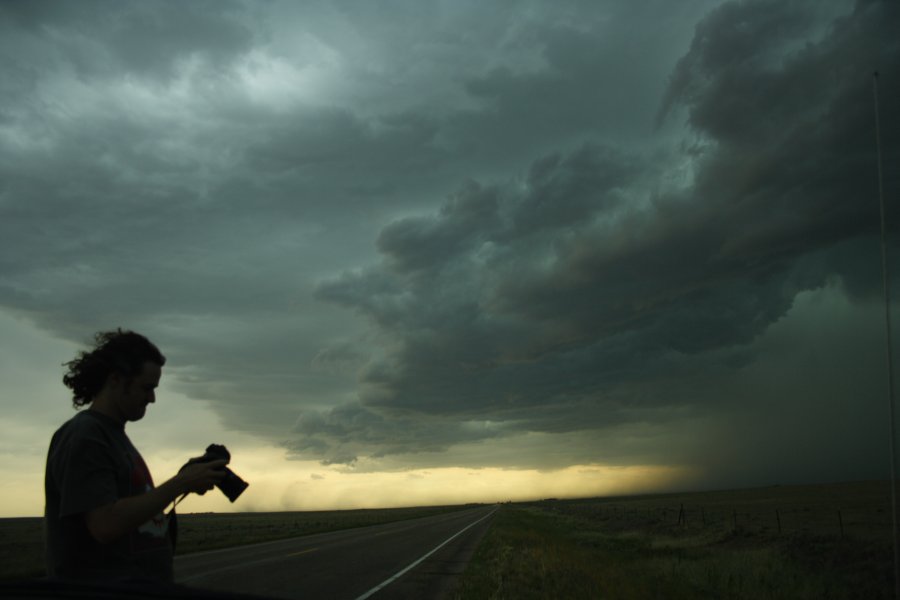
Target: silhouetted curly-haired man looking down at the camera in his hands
point(104, 517)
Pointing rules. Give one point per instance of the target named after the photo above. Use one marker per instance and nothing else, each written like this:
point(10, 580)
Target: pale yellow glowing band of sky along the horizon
point(278, 484)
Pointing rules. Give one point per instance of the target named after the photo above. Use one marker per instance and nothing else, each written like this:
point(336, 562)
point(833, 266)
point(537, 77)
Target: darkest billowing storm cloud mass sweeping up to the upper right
point(543, 304)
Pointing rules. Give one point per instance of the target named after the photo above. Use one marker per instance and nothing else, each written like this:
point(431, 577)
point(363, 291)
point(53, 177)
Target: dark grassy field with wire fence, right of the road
point(833, 542)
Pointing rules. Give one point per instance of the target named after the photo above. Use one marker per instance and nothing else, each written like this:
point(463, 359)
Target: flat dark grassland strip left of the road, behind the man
point(22, 542)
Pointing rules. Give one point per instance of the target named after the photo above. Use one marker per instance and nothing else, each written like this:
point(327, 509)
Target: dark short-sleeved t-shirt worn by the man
point(92, 463)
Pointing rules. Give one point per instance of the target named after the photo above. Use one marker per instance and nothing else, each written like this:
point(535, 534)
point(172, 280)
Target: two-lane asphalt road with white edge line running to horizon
point(418, 558)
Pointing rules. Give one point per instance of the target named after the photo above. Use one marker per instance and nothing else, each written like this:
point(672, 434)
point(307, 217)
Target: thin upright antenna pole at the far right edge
point(887, 320)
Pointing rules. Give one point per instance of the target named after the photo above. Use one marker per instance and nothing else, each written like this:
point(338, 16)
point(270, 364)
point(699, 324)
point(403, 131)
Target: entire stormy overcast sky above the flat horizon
point(393, 250)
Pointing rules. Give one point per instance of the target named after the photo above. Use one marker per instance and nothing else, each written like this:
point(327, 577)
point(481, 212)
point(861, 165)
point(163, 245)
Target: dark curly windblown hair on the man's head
point(123, 352)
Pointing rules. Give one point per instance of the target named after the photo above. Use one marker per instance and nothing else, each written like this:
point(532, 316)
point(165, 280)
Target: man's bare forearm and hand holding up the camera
point(110, 522)
